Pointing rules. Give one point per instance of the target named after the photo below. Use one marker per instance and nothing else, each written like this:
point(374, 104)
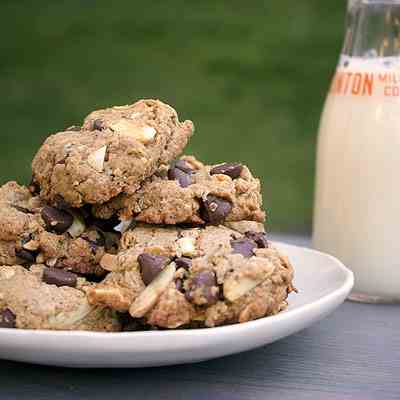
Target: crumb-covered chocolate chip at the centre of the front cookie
point(203, 289)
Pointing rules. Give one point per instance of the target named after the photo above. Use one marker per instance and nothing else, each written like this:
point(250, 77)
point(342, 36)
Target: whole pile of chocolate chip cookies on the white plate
point(116, 232)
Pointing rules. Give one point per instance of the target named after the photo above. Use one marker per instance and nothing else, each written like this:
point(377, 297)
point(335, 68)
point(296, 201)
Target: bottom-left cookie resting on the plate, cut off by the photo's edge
point(28, 302)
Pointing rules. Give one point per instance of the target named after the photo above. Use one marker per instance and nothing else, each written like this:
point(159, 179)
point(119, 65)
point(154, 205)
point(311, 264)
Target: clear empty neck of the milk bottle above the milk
point(372, 29)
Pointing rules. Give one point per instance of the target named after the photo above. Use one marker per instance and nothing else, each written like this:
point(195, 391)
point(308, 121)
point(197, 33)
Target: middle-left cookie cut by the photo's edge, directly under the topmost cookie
point(33, 232)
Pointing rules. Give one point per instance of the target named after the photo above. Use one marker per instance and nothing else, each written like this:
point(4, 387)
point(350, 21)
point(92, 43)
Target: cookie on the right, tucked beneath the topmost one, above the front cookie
point(194, 193)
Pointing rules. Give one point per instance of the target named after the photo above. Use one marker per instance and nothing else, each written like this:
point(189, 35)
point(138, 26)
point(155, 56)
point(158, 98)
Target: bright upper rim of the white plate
point(340, 292)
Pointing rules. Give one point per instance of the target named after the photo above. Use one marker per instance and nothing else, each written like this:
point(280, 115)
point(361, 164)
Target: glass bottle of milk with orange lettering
point(357, 202)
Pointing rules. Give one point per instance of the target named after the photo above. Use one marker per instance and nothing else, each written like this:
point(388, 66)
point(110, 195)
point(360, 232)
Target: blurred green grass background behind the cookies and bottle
point(251, 75)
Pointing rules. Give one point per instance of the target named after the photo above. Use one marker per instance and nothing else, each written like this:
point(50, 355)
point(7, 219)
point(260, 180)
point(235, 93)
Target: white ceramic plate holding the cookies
point(323, 284)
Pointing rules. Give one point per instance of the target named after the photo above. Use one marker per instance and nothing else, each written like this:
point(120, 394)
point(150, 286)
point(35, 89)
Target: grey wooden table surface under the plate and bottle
point(352, 354)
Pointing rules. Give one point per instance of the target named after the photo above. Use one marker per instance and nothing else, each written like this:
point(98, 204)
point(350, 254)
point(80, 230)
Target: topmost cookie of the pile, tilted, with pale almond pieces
point(114, 152)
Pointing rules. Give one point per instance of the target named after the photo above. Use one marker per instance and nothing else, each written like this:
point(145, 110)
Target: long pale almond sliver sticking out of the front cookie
point(148, 298)
